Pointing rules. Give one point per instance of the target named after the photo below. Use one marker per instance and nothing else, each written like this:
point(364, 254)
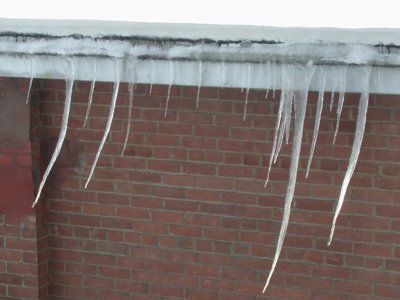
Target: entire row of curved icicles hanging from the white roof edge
point(292, 98)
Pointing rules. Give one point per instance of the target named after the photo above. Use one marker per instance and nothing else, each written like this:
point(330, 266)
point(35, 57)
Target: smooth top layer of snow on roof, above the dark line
point(201, 31)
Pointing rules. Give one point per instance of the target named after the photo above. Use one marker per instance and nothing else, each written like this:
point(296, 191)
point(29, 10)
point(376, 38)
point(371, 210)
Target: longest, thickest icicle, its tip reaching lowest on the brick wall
point(301, 105)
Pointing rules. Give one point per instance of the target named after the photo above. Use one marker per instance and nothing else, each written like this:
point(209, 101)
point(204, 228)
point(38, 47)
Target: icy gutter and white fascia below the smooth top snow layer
point(22, 54)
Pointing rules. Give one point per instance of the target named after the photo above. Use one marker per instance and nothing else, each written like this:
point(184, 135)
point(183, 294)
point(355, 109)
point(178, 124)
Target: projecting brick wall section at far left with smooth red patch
point(23, 253)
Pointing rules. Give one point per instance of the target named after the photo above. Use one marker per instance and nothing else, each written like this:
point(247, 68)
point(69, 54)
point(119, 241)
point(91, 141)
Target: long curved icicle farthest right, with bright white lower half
point(355, 151)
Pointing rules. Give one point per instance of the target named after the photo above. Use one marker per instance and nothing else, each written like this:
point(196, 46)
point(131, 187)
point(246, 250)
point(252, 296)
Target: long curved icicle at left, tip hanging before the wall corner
point(69, 82)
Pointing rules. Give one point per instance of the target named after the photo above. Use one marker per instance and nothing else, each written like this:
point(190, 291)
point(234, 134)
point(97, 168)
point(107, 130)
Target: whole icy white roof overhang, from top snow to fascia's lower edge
point(230, 56)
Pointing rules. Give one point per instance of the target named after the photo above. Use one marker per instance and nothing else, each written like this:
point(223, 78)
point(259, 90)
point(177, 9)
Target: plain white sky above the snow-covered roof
point(279, 13)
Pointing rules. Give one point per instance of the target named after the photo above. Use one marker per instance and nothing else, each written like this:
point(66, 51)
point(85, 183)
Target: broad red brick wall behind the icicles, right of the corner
point(185, 215)
